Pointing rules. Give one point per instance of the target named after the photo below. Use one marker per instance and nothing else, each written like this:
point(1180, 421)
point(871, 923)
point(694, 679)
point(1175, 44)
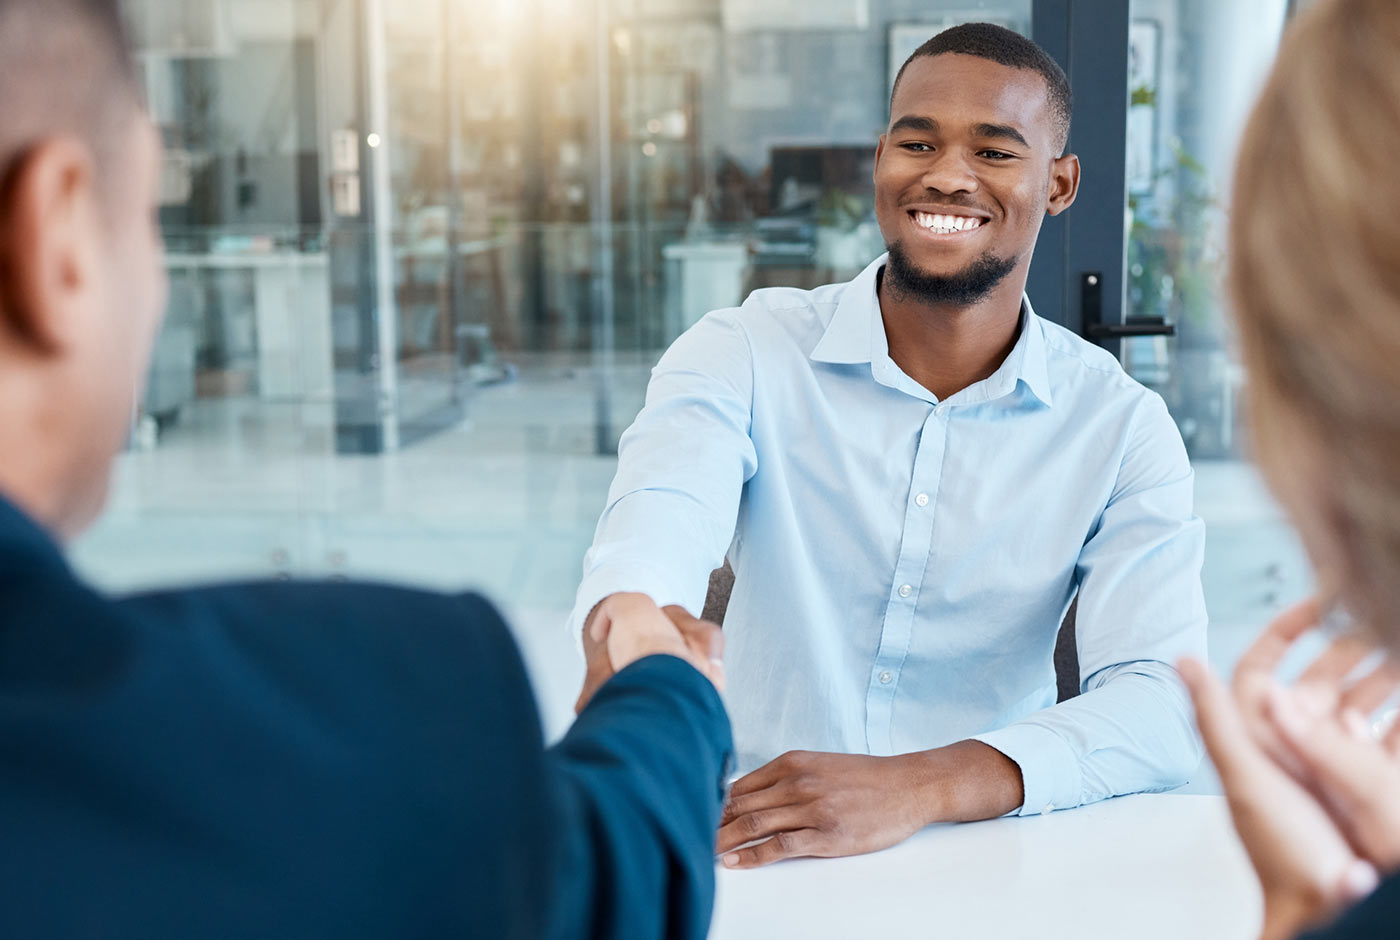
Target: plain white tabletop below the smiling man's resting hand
point(1143, 868)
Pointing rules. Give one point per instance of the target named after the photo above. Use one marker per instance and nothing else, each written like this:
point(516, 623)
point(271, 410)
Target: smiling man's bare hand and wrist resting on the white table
point(836, 805)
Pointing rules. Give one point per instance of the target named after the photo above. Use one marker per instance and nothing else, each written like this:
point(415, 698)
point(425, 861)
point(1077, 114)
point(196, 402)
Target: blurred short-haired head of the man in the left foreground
point(82, 285)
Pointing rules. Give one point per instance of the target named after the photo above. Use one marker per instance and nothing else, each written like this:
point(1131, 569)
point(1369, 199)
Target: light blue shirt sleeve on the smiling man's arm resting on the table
point(1140, 609)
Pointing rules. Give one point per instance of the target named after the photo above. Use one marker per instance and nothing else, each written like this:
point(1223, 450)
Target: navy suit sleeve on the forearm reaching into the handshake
point(642, 774)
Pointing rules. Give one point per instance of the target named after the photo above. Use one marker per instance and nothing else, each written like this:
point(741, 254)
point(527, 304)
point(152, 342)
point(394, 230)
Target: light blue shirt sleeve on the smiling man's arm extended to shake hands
point(681, 471)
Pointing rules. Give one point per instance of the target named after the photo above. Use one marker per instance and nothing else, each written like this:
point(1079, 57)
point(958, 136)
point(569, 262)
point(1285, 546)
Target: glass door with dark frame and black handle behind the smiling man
point(1151, 288)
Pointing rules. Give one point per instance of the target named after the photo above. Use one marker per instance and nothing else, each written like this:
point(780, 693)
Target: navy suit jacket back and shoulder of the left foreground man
point(268, 760)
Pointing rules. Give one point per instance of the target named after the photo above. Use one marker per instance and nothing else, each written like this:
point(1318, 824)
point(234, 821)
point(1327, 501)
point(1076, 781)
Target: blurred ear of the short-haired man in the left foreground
point(50, 243)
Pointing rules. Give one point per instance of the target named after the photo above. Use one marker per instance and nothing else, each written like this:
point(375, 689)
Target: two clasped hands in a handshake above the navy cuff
point(625, 628)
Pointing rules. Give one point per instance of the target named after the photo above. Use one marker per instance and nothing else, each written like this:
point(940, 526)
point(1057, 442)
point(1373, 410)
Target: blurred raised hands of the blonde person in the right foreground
point(1310, 787)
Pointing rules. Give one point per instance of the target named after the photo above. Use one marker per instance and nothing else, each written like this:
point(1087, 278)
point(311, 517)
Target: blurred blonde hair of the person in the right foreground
point(1315, 282)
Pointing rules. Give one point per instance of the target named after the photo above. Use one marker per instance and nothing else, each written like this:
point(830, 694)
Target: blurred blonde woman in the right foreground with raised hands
point(1312, 778)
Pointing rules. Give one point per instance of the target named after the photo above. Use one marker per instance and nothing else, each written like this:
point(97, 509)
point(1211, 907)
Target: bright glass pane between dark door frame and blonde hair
point(1195, 68)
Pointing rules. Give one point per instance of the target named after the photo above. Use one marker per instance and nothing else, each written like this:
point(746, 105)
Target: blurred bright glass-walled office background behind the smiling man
point(425, 254)
